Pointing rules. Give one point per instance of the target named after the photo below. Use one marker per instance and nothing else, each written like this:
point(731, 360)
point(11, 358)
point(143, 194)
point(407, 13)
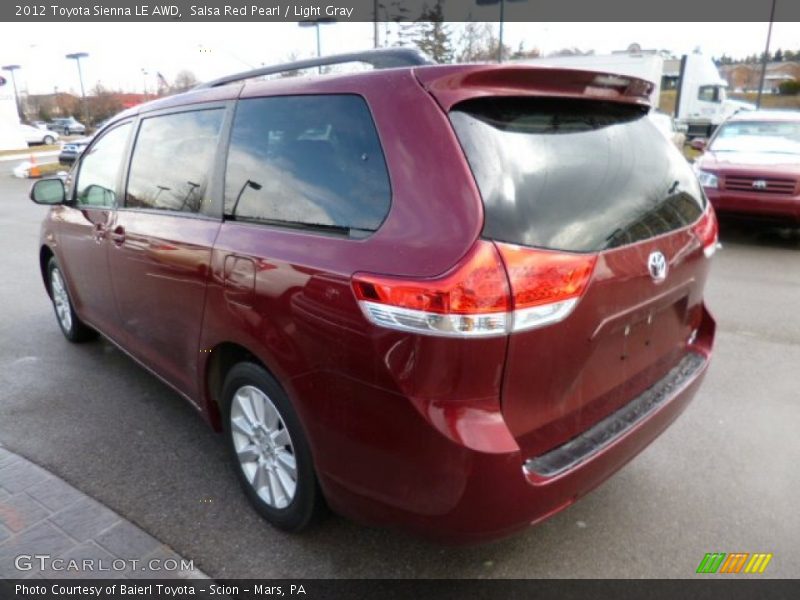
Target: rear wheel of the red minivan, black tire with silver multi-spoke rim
point(269, 449)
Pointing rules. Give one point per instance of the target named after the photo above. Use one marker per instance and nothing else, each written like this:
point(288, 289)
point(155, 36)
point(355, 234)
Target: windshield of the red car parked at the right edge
point(777, 137)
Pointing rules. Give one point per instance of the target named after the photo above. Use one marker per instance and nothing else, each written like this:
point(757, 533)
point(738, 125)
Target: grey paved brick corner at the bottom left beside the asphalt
point(41, 515)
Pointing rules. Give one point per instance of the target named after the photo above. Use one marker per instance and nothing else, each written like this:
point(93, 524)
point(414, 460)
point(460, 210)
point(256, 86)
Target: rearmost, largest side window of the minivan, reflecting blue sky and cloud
point(311, 161)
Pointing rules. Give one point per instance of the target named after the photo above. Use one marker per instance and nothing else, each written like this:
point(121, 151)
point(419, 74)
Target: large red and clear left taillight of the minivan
point(494, 290)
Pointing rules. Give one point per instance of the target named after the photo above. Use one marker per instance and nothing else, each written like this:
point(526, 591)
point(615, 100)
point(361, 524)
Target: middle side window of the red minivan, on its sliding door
point(171, 161)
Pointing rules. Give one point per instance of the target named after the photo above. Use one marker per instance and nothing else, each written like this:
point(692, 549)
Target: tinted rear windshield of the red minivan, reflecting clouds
point(576, 175)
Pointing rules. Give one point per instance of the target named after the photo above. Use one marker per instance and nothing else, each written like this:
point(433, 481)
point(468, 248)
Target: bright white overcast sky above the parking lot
point(120, 51)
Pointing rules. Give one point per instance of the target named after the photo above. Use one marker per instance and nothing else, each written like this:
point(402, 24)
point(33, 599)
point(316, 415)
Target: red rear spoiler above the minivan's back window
point(452, 84)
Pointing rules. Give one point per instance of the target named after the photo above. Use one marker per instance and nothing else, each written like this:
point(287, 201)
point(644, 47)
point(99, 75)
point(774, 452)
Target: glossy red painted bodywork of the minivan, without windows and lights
point(426, 432)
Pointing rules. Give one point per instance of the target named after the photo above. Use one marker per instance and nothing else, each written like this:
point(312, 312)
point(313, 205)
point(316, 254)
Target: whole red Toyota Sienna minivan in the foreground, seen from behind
point(448, 298)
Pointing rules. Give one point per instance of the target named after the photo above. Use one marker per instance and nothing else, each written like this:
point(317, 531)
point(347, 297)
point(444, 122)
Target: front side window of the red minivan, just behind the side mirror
point(99, 168)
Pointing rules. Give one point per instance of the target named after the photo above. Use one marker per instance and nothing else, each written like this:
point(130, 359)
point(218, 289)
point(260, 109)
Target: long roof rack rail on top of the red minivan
point(381, 58)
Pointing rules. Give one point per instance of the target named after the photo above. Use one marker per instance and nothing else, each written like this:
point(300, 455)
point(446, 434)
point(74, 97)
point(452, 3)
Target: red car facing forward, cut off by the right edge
point(751, 165)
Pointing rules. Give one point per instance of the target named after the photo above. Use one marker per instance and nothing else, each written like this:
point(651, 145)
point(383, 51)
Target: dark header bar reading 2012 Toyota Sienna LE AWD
point(394, 10)
